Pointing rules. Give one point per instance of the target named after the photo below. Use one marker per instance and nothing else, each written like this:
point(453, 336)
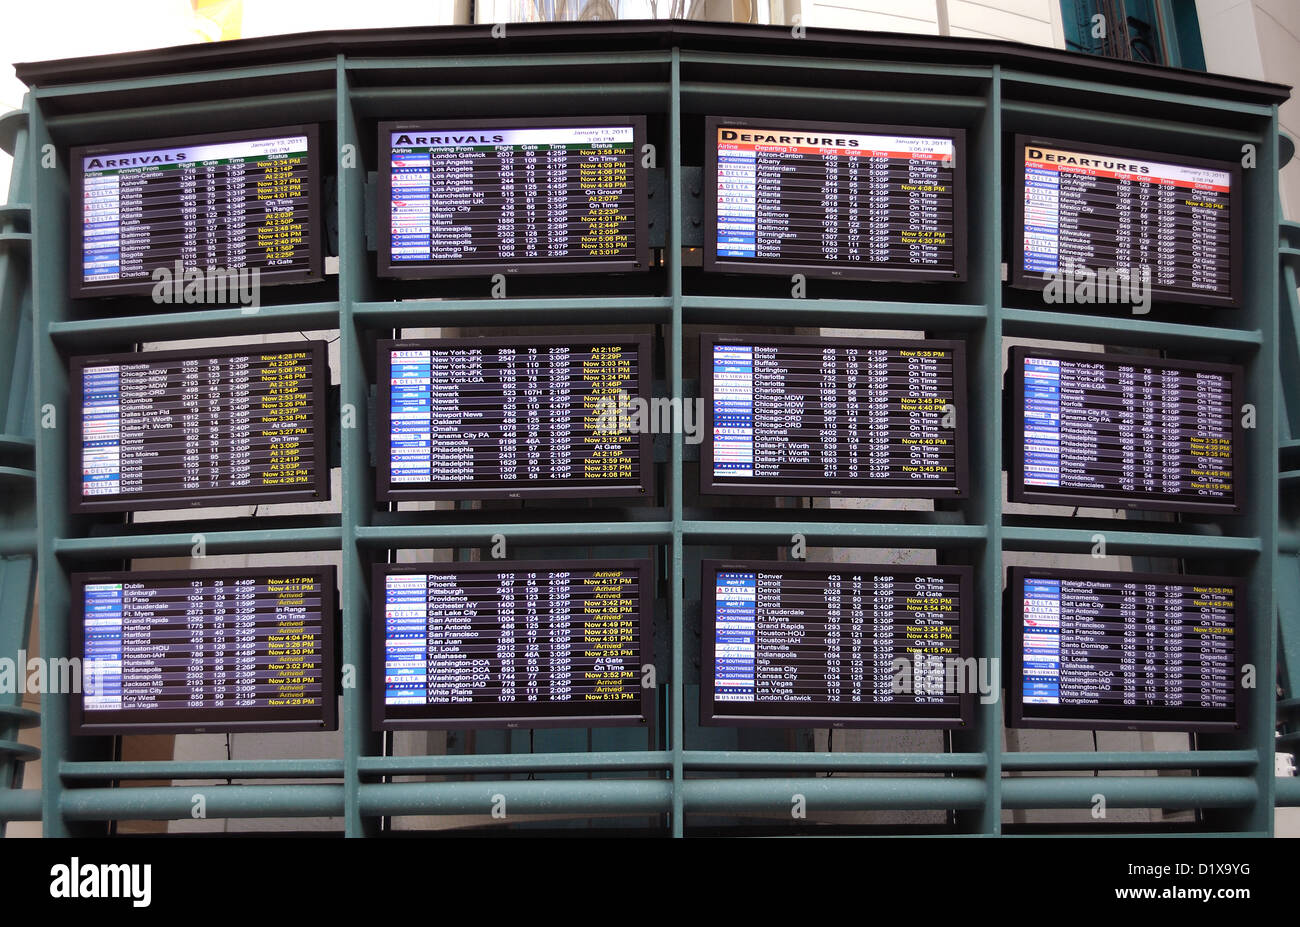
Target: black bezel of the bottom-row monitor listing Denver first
point(714, 714)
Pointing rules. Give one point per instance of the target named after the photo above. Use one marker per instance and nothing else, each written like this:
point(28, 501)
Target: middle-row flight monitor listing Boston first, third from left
point(834, 417)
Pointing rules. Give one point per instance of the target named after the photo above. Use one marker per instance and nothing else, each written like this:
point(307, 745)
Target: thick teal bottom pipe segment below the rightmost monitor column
point(1026, 792)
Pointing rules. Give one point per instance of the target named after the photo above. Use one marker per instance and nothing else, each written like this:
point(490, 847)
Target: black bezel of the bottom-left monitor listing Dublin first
point(222, 722)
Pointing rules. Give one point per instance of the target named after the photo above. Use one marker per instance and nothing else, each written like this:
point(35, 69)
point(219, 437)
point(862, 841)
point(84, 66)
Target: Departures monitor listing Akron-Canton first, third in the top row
point(835, 200)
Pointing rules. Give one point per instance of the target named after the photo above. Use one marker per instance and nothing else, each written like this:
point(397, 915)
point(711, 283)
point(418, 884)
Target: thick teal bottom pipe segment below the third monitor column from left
point(779, 796)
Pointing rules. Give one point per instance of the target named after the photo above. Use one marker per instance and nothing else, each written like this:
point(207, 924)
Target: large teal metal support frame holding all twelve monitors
point(678, 75)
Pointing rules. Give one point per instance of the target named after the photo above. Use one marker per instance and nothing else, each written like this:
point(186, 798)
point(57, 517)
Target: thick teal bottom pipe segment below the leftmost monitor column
point(219, 802)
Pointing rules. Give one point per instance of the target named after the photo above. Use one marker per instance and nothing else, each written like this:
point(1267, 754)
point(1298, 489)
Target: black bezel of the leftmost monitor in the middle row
point(317, 491)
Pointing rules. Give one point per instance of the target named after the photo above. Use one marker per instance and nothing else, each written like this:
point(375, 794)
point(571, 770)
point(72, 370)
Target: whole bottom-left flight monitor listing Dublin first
point(207, 651)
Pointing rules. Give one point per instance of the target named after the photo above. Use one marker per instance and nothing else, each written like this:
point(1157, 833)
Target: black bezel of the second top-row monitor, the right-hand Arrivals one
point(385, 266)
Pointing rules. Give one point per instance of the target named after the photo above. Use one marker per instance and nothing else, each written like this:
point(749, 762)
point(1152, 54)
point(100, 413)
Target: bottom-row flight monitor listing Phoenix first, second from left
point(513, 644)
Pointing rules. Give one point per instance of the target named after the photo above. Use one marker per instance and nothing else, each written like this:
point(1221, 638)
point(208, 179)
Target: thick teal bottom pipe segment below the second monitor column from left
point(530, 796)
